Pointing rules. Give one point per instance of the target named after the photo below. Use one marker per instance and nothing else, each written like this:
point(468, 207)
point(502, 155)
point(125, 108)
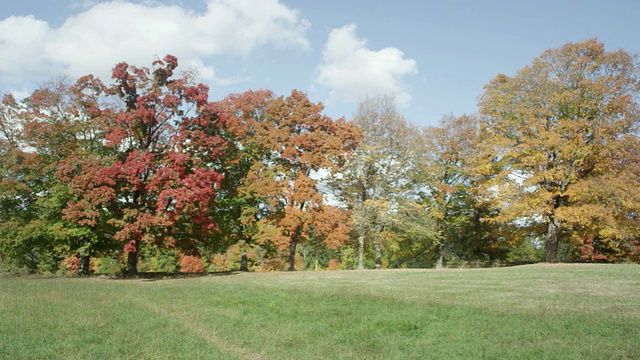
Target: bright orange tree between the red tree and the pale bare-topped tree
point(300, 142)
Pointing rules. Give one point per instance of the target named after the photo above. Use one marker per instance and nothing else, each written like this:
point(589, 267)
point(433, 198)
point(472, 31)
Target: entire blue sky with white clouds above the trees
point(434, 57)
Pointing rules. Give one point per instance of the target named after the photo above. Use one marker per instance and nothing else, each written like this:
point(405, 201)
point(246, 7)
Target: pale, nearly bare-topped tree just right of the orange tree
point(376, 174)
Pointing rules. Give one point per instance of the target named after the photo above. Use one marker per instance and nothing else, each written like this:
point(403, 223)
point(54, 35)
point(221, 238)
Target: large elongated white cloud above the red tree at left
point(94, 40)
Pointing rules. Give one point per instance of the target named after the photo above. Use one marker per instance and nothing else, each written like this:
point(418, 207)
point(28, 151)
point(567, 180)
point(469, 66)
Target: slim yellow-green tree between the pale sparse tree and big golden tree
point(444, 184)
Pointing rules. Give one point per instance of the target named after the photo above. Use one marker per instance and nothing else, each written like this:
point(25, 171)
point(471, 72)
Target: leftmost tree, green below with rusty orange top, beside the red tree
point(51, 125)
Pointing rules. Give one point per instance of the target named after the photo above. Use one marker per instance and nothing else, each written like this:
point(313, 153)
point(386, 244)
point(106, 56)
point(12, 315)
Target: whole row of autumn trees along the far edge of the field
point(148, 174)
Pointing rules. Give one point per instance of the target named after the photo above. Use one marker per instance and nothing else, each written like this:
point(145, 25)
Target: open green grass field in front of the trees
point(528, 312)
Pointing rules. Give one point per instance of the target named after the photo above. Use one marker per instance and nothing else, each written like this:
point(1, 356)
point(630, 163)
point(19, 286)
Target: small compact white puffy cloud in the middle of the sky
point(351, 71)
